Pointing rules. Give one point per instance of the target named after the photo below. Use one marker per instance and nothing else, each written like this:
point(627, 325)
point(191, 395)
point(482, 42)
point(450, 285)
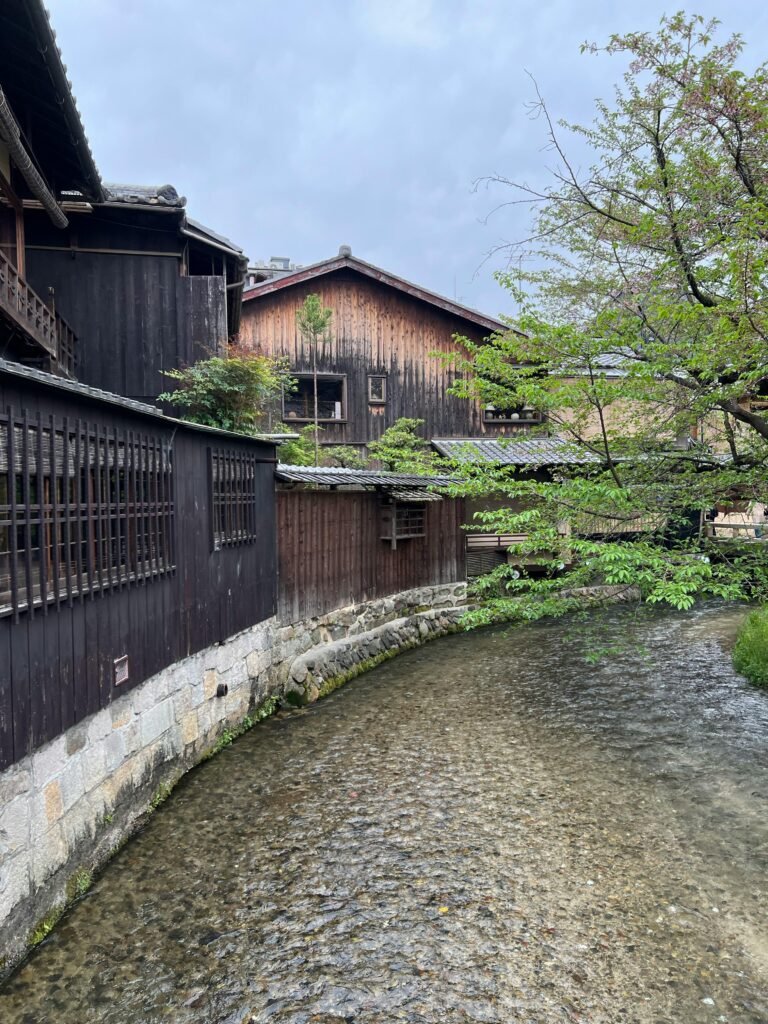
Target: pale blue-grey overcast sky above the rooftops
point(295, 126)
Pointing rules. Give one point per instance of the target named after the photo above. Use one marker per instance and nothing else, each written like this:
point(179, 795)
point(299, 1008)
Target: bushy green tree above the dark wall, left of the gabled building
point(237, 393)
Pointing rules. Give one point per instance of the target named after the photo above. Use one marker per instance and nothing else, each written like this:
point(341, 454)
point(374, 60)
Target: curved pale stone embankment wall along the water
point(68, 807)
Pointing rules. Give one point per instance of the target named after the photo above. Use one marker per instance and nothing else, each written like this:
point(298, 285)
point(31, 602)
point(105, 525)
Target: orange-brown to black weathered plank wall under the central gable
point(376, 330)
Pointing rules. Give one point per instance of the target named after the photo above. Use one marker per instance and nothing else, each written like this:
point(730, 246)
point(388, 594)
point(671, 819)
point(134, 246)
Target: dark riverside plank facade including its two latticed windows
point(122, 535)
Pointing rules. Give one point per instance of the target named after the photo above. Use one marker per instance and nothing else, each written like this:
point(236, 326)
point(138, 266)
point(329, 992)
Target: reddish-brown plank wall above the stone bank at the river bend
point(331, 553)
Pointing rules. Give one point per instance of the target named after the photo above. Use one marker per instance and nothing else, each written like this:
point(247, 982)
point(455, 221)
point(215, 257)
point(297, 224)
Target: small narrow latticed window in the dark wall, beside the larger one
point(234, 499)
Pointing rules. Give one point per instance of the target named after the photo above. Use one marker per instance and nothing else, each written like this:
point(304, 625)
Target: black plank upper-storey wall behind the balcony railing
point(134, 313)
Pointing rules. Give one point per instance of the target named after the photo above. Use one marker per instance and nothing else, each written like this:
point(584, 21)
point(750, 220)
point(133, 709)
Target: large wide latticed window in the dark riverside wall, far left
point(83, 508)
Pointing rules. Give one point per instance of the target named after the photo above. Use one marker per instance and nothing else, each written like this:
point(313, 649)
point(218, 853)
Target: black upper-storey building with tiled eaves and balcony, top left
point(110, 284)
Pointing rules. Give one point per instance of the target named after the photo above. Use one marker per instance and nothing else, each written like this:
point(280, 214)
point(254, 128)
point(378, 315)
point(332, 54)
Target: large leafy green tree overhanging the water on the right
point(643, 332)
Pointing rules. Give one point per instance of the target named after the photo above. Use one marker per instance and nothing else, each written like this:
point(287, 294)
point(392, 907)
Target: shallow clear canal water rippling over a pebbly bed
point(491, 829)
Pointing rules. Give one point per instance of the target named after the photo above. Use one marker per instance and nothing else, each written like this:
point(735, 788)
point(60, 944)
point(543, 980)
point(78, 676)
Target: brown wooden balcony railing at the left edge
point(39, 323)
